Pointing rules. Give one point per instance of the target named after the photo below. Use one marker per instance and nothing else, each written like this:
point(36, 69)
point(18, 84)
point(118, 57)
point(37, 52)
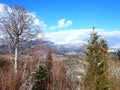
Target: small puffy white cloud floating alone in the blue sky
point(62, 23)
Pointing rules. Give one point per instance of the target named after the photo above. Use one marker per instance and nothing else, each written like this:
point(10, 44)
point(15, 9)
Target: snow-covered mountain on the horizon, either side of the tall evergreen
point(75, 48)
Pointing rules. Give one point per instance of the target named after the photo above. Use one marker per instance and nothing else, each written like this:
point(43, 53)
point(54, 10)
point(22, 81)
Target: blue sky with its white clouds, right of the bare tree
point(70, 20)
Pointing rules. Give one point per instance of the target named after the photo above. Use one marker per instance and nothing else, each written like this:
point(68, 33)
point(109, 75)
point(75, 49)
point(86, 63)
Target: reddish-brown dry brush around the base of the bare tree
point(8, 79)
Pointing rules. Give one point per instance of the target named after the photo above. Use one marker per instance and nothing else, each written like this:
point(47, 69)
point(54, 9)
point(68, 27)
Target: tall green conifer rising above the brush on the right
point(96, 54)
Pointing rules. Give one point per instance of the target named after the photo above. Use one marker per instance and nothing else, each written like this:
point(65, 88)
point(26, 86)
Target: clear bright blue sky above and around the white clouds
point(103, 14)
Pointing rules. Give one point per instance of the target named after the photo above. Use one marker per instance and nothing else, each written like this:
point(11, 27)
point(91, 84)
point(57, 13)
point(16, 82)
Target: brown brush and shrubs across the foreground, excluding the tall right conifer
point(41, 69)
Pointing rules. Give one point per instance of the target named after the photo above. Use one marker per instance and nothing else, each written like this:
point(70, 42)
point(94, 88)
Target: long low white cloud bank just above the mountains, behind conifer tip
point(82, 35)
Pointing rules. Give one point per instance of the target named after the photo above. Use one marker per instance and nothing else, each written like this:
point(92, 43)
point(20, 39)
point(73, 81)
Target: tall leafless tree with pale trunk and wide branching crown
point(18, 24)
